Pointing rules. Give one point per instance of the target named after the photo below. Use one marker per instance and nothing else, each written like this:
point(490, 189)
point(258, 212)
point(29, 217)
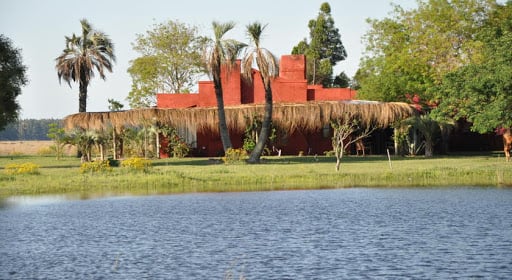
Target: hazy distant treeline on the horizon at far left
point(28, 129)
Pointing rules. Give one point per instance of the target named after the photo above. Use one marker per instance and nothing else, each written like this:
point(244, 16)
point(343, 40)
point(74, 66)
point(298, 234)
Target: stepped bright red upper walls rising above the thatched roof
point(290, 86)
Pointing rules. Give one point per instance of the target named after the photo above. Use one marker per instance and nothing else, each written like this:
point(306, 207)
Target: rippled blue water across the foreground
point(446, 233)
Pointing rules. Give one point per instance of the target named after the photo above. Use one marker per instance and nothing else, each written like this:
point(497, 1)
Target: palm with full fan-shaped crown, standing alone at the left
point(83, 54)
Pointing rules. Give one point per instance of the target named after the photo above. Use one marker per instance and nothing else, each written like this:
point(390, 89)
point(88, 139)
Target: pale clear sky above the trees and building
point(38, 29)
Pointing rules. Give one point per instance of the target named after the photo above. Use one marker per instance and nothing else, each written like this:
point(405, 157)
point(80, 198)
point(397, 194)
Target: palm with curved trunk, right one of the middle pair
point(269, 68)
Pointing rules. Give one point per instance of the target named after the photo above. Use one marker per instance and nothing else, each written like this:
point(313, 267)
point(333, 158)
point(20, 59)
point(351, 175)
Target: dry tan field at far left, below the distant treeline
point(8, 148)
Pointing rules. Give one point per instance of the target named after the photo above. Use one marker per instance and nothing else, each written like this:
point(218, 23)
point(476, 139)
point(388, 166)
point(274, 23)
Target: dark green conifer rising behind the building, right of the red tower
point(324, 48)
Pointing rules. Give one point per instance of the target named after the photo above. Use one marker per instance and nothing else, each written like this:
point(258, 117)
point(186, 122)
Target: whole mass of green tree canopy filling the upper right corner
point(455, 55)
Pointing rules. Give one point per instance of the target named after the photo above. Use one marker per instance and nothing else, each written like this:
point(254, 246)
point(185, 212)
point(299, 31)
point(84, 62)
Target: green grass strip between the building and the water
point(285, 173)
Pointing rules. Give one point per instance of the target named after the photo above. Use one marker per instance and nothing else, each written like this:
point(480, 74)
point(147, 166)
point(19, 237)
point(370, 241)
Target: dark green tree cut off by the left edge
point(12, 78)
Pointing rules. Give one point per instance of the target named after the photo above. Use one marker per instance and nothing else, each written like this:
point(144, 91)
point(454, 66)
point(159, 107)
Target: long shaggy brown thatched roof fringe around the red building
point(306, 116)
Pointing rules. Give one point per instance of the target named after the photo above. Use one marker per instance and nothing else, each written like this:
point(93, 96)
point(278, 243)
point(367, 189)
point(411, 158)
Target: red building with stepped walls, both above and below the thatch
point(289, 87)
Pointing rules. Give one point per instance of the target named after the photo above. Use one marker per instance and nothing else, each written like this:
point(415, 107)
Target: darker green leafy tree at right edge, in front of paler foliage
point(482, 92)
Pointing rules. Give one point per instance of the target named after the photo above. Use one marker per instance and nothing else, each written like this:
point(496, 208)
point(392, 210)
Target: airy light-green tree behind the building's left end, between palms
point(170, 62)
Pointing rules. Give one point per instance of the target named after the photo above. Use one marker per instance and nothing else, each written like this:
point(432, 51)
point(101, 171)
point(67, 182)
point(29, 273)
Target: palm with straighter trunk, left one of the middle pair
point(222, 52)
